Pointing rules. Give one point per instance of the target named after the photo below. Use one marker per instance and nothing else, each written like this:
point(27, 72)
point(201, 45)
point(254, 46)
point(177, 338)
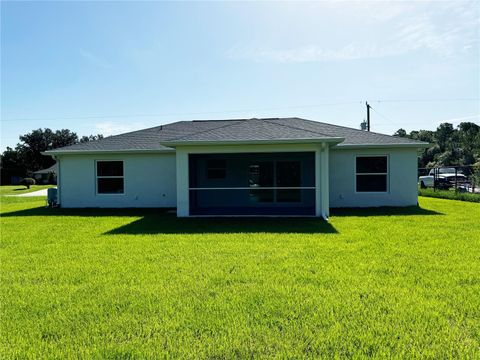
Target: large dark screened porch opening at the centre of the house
point(253, 184)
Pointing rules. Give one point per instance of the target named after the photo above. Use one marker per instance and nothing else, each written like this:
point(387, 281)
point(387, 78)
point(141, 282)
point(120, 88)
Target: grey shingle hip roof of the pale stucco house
point(236, 130)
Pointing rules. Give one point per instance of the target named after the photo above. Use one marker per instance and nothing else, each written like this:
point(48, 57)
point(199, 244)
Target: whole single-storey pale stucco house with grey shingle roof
point(274, 166)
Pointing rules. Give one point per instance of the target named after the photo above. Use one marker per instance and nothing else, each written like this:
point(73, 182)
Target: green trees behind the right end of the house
point(449, 145)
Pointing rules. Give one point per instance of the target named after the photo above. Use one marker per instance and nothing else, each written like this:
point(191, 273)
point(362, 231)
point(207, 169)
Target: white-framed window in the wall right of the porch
point(371, 173)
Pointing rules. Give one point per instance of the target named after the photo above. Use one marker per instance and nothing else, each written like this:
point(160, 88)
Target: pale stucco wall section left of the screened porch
point(149, 181)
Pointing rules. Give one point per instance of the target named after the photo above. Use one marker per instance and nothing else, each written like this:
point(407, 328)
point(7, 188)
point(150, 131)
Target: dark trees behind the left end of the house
point(27, 157)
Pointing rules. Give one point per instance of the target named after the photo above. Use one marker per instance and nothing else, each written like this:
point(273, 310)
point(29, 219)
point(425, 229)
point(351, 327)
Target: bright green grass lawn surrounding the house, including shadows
point(401, 283)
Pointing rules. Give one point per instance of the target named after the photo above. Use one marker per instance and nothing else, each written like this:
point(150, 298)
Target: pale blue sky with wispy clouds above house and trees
point(112, 67)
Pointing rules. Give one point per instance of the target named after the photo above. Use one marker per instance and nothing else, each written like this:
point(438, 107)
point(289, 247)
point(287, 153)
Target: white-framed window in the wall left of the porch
point(110, 179)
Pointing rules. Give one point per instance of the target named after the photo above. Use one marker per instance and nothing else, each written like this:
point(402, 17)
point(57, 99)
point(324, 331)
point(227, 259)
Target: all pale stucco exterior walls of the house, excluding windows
point(150, 179)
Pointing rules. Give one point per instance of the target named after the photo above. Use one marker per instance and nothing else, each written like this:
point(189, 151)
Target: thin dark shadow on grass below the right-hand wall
point(383, 211)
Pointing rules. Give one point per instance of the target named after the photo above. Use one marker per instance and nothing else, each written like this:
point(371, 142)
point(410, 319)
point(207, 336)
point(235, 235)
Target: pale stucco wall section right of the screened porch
point(402, 178)
